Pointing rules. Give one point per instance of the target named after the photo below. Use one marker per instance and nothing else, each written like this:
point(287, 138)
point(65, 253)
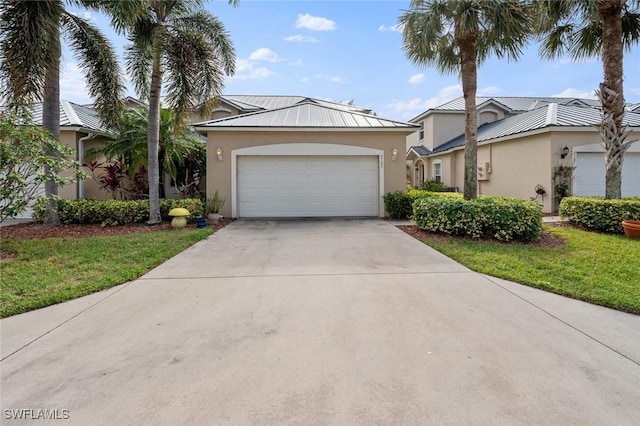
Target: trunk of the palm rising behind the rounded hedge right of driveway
point(468, 74)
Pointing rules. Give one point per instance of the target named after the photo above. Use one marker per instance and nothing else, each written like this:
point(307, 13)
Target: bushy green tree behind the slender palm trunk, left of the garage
point(181, 151)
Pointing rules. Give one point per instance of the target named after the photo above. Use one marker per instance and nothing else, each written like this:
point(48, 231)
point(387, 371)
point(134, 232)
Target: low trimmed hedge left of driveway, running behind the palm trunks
point(113, 212)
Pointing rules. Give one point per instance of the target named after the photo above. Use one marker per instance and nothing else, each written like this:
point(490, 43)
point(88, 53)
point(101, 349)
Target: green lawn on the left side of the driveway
point(53, 270)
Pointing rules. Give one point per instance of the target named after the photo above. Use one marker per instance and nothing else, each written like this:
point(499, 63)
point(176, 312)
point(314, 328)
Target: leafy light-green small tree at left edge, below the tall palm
point(25, 163)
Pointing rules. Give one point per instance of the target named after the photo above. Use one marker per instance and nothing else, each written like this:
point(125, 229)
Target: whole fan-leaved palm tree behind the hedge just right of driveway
point(457, 36)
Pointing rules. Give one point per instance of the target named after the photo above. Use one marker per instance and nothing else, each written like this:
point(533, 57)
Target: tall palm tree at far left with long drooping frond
point(30, 67)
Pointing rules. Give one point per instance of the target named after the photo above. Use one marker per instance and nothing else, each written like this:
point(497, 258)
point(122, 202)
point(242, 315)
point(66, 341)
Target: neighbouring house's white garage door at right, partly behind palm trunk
point(590, 174)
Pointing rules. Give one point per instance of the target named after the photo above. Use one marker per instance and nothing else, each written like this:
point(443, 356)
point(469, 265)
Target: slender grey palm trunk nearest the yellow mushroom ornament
point(153, 136)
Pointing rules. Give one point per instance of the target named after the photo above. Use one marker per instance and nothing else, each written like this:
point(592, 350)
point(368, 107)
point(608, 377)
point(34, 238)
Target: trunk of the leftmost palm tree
point(51, 122)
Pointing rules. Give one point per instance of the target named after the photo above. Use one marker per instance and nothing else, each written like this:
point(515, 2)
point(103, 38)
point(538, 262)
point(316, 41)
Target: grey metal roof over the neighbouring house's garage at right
point(551, 115)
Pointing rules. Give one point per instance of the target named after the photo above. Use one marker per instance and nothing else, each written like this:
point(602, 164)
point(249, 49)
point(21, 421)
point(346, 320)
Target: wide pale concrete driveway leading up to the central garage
point(339, 322)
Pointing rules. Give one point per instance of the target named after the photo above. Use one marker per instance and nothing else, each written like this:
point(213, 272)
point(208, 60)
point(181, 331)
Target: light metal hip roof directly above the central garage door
point(306, 115)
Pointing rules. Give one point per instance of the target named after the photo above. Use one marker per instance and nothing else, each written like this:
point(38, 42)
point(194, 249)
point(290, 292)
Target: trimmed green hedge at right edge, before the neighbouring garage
point(600, 214)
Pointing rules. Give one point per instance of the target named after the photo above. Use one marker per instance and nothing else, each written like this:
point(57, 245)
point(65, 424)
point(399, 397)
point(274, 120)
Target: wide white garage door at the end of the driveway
point(307, 186)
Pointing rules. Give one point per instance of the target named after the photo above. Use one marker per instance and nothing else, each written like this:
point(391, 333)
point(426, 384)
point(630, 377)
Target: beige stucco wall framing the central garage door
point(219, 172)
